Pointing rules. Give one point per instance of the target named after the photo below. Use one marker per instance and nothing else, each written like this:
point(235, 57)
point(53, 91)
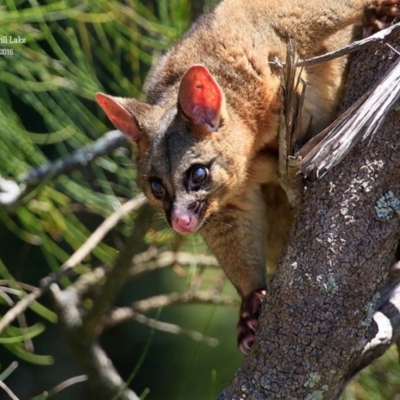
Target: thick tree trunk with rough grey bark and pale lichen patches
point(320, 322)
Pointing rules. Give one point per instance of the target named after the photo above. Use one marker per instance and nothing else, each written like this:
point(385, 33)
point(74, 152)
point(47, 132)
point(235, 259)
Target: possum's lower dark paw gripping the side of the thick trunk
point(248, 319)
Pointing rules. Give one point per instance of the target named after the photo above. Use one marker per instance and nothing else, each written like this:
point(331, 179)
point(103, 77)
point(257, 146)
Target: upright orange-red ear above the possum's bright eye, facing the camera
point(200, 97)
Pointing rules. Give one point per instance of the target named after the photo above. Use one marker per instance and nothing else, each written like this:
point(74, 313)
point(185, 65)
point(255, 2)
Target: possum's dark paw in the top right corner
point(380, 17)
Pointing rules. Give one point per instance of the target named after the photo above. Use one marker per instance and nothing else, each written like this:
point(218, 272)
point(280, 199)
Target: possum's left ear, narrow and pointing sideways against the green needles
point(118, 111)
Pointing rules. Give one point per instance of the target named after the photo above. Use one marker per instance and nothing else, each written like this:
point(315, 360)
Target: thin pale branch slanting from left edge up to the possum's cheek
point(74, 260)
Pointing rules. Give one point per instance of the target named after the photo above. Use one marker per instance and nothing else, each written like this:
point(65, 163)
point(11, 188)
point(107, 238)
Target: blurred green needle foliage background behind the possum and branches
point(72, 50)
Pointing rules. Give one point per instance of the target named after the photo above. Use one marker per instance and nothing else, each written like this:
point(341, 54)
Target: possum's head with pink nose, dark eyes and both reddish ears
point(193, 156)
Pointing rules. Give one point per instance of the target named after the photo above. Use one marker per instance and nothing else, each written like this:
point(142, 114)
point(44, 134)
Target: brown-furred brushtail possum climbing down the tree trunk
point(207, 135)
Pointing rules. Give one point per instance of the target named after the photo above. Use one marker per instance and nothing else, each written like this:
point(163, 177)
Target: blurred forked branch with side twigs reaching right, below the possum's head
point(83, 328)
